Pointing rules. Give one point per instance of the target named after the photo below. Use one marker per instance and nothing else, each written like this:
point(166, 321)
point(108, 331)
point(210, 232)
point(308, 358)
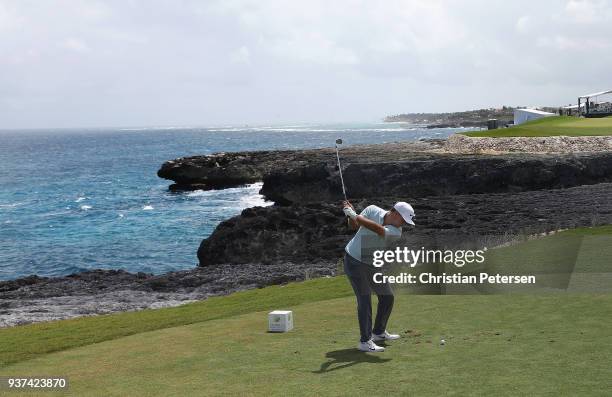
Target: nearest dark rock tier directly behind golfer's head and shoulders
point(314, 232)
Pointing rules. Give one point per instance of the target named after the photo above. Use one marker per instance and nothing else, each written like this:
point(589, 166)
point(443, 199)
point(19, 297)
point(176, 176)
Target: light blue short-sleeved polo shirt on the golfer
point(366, 240)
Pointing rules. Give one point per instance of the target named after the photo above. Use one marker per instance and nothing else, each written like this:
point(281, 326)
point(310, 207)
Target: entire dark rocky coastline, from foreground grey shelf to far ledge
point(455, 185)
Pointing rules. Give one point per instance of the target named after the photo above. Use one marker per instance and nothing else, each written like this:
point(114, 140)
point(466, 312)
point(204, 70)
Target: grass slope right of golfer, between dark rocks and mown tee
point(576, 261)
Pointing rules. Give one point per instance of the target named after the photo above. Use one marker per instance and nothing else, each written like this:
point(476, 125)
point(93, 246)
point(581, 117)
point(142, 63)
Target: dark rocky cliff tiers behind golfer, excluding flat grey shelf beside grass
point(458, 192)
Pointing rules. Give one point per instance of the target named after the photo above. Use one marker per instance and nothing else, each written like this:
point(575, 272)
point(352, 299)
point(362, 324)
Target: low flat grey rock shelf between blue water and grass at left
point(33, 299)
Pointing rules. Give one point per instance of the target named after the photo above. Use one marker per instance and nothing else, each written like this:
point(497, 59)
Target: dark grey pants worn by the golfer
point(360, 275)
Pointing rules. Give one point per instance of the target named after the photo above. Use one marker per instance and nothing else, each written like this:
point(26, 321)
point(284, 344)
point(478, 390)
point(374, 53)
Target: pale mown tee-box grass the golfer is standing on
point(496, 345)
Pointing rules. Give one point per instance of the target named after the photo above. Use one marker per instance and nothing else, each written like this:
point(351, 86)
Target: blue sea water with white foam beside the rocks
point(73, 200)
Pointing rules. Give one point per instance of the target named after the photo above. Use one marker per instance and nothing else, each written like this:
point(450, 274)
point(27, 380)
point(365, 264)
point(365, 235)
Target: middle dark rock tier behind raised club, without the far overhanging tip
point(442, 175)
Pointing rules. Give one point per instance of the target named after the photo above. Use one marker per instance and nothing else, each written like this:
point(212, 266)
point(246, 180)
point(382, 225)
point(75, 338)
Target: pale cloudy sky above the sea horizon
point(79, 63)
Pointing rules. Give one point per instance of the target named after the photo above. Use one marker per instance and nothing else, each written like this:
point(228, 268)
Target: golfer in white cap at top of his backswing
point(376, 229)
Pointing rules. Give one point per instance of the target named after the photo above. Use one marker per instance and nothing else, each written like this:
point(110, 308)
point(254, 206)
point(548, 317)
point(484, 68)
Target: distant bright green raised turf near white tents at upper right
point(553, 126)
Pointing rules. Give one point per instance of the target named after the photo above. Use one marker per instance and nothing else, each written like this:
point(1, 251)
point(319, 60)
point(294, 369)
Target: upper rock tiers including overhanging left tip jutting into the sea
point(399, 169)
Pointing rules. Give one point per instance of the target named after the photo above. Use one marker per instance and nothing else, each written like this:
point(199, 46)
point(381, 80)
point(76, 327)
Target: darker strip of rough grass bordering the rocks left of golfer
point(28, 341)
